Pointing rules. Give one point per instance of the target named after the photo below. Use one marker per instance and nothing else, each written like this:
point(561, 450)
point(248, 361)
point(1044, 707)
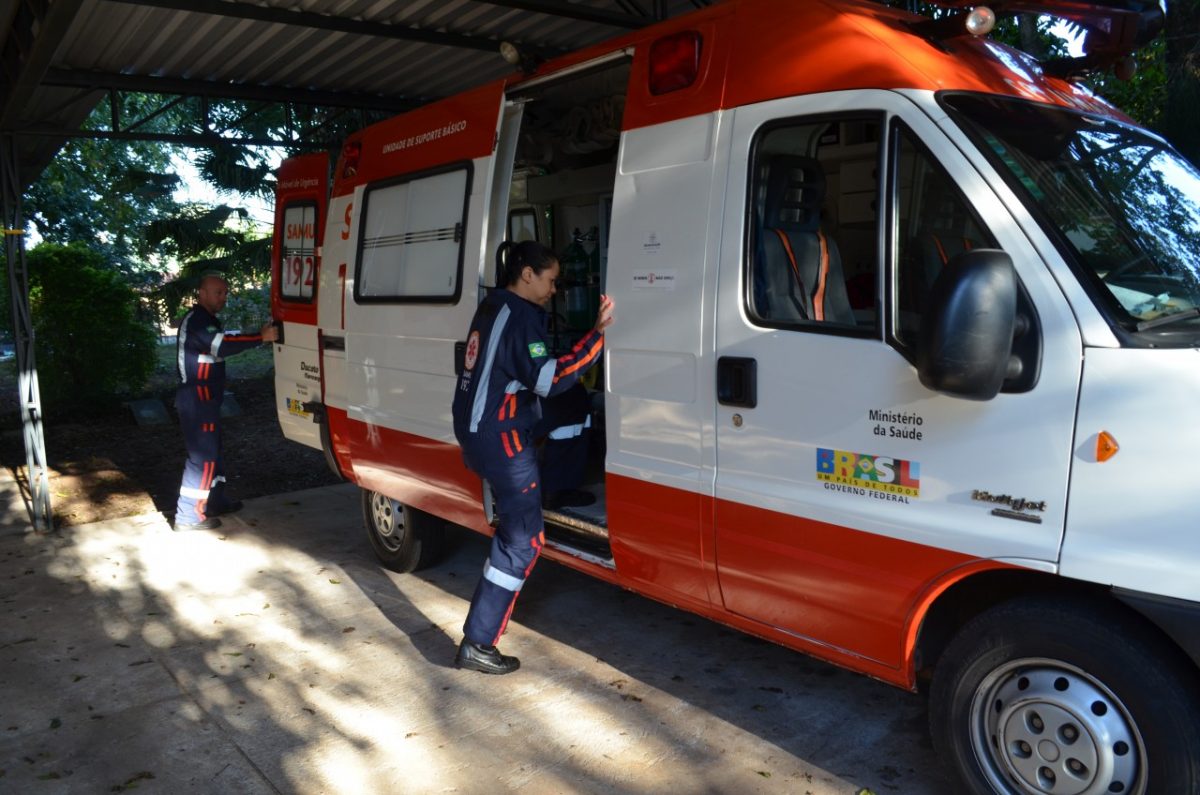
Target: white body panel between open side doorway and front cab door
point(662, 276)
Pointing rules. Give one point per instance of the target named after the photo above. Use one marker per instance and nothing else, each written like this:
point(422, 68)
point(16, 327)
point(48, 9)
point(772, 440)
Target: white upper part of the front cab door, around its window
point(817, 391)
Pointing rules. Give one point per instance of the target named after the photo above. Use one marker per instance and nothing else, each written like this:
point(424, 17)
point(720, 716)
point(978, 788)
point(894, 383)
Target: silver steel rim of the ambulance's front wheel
point(1041, 727)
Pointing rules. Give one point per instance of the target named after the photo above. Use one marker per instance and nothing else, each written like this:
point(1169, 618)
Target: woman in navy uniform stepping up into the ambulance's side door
point(507, 372)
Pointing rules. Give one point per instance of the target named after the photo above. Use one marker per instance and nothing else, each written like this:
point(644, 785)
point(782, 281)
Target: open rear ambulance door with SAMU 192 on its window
point(301, 199)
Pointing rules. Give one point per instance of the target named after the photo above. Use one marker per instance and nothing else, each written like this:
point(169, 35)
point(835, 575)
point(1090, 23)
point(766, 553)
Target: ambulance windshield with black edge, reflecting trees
point(1124, 207)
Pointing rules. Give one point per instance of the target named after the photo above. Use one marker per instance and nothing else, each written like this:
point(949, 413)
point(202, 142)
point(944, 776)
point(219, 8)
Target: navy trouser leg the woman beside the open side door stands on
point(515, 546)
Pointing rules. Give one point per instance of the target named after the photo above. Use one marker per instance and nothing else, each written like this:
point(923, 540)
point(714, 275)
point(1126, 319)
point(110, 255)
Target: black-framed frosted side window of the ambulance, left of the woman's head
point(411, 246)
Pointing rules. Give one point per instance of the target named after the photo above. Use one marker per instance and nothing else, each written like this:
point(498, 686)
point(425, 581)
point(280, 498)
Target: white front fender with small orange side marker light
point(1133, 518)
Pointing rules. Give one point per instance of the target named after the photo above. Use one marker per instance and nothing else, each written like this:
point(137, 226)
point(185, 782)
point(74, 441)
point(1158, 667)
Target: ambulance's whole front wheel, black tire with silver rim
point(1042, 697)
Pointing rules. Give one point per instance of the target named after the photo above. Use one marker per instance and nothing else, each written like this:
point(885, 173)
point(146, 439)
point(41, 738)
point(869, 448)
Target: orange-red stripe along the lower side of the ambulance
point(869, 593)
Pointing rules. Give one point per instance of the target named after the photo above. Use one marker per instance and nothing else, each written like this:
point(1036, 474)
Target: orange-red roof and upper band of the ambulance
point(752, 51)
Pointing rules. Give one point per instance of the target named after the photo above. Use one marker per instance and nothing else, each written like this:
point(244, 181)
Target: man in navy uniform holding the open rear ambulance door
point(202, 349)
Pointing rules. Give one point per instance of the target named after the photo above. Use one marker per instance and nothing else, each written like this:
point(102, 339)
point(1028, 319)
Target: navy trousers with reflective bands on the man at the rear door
point(205, 469)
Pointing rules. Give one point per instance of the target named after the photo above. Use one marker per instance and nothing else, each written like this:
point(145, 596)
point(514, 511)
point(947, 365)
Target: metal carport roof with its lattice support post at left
point(61, 58)
